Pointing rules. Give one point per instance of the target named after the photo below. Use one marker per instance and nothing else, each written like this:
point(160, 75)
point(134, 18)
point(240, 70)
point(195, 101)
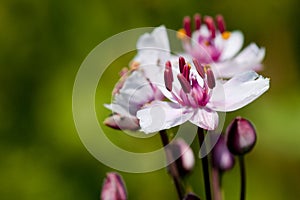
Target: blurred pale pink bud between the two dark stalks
point(185, 163)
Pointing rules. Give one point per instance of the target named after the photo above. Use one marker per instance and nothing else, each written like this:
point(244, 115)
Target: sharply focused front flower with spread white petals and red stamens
point(196, 96)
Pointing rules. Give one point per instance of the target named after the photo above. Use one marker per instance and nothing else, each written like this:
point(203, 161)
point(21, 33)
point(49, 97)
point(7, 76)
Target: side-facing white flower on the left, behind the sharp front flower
point(134, 89)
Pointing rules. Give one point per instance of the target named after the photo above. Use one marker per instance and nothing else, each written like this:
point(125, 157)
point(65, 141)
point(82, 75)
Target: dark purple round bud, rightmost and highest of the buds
point(241, 136)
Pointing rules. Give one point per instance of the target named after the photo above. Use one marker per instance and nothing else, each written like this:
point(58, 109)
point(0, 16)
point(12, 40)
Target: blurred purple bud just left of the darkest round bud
point(222, 159)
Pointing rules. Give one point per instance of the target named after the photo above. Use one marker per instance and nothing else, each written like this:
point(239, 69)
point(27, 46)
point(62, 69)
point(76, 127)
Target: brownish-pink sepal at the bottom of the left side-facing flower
point(119, 122)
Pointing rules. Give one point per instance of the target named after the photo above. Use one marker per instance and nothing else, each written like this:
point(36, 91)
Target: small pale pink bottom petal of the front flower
point(205, 118)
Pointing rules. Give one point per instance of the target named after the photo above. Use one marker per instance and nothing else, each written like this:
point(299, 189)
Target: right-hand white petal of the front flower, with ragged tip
point(239, 91)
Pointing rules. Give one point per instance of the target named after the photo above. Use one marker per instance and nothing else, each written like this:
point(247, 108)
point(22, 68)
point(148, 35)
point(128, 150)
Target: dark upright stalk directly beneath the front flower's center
point(205, 165)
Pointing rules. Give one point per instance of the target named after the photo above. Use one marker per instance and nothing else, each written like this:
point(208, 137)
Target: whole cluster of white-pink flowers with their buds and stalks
point(161, 90)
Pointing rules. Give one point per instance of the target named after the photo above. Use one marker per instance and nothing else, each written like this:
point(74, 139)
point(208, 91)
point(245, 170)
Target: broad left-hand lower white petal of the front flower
point(161, 115)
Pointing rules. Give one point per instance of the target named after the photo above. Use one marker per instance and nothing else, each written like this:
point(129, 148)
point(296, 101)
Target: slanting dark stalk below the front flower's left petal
point(172, 166)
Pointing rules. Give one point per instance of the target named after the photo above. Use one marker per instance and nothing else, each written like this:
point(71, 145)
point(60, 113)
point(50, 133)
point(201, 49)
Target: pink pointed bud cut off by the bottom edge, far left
point(113, 187)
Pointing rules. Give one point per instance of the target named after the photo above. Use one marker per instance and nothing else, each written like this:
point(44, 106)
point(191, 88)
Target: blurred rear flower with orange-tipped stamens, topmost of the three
point(214, 45)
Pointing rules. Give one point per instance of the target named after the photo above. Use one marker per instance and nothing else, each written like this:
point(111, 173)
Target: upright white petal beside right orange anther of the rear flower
point(231, 46)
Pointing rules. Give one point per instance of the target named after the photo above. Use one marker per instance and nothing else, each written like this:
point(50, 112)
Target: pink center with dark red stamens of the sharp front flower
point(192, 93)
